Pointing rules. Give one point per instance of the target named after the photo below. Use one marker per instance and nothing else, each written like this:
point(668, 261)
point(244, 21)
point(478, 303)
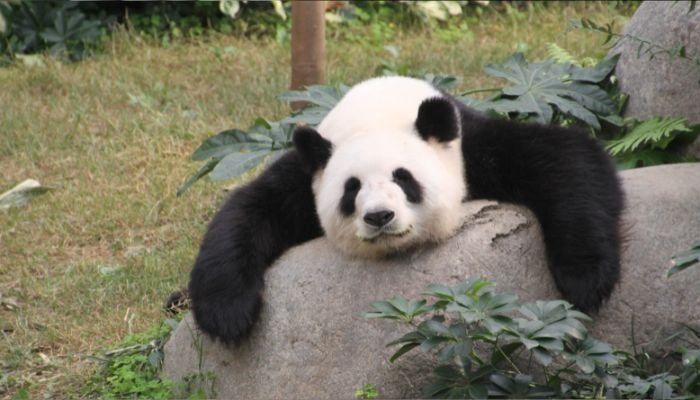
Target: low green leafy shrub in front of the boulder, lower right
point(484, 341)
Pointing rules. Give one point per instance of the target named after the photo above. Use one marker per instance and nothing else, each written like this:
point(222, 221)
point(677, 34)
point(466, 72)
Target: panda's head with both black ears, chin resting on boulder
point(389, 189)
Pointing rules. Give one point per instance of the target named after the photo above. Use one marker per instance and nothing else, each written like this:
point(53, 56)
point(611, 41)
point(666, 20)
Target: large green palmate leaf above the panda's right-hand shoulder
point(546, 87)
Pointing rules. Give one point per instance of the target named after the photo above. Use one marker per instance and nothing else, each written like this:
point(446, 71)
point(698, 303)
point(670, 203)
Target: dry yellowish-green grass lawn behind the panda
point(94, 259)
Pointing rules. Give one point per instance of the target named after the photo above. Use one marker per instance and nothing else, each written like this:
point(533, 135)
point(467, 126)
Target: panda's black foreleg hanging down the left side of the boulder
point(252, 229)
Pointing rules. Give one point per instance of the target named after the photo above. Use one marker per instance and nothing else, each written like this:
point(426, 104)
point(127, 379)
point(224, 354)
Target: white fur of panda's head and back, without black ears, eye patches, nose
point(373, 134)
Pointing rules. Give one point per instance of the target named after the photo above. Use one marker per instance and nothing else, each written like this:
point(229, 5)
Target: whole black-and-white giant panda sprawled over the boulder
point(388, 169)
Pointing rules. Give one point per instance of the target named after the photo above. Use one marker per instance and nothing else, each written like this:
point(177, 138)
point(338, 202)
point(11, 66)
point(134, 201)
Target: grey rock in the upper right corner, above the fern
point(661, 86)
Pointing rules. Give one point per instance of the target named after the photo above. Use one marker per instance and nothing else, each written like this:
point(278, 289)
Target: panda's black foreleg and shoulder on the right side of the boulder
point(565, 177)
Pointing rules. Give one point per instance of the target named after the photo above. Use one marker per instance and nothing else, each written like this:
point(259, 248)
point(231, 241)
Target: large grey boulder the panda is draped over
point(312, 342)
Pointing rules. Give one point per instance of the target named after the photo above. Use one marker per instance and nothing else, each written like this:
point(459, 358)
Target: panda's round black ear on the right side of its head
point(437, 118)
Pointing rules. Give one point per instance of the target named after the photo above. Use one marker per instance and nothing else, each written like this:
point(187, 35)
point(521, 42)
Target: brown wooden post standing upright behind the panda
point(308, 44)
